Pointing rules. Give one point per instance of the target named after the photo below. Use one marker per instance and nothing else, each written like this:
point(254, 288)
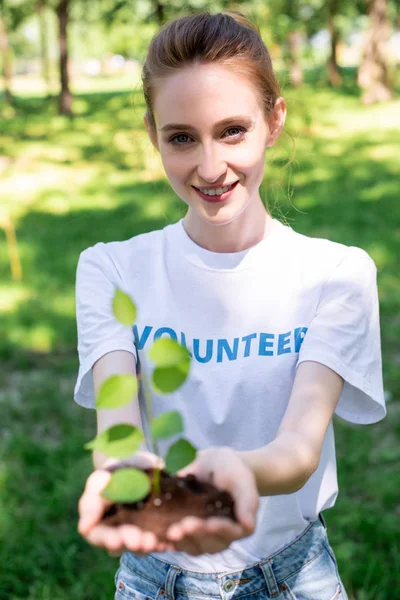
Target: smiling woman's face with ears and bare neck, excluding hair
point(210, 151)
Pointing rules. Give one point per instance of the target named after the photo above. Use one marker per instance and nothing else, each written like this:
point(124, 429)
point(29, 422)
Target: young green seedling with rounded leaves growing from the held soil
point(172, 364)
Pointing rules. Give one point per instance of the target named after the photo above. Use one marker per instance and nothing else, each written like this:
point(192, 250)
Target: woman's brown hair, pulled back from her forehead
point(227, 37)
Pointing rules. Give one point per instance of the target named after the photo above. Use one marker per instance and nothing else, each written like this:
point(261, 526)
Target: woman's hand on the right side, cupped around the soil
point(224, 468)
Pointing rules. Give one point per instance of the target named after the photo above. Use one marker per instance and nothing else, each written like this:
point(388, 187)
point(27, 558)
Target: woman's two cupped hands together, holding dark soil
point(221, 466)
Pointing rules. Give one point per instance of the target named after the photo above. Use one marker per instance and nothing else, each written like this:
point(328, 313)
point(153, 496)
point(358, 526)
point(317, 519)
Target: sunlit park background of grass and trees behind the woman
point(76, 168)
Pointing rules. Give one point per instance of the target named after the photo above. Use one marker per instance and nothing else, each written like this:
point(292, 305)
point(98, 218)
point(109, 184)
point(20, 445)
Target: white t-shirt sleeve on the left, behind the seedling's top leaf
point(99, 331)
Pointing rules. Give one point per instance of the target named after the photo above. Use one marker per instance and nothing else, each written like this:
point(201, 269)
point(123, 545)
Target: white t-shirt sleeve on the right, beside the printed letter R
point(345, 336)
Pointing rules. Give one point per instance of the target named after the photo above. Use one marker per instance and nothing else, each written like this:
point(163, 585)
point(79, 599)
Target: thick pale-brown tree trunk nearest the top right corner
point(373, 71)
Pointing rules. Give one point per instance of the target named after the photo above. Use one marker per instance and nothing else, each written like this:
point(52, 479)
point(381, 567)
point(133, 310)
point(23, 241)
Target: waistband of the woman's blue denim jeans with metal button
point(273, 569)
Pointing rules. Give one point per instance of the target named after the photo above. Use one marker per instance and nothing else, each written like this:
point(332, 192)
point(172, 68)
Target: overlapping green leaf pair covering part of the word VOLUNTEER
point(172, 365)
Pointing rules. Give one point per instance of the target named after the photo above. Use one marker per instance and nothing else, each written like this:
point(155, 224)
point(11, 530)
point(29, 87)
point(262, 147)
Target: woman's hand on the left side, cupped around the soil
point(121, 538)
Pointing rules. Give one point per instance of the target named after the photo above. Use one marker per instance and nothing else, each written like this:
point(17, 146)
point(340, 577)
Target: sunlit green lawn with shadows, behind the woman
point(71, 183)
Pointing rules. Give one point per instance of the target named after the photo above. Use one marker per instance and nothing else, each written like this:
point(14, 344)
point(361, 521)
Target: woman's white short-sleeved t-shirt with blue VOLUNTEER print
point(249, 319)
